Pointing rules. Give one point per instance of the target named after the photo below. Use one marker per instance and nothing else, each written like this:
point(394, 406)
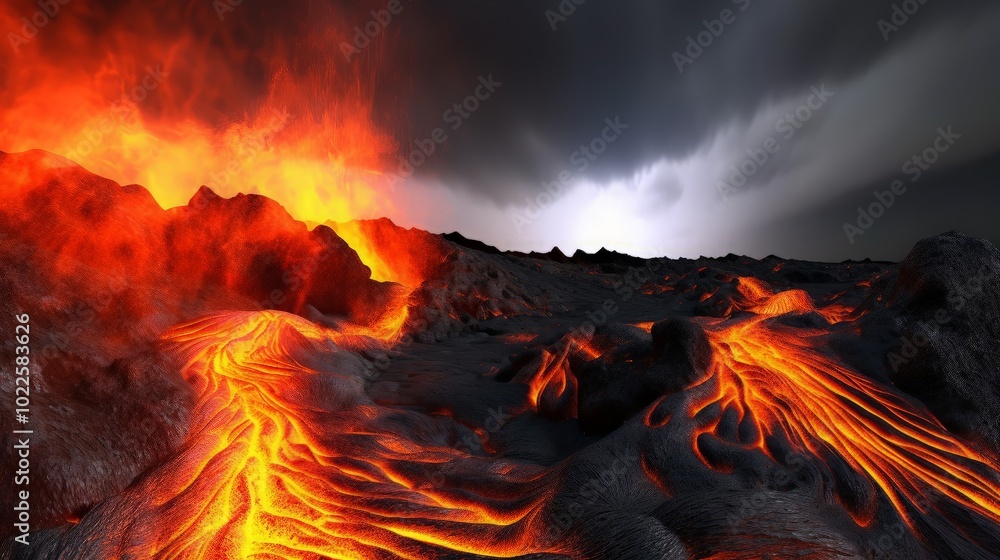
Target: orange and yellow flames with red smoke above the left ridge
point(282, 115)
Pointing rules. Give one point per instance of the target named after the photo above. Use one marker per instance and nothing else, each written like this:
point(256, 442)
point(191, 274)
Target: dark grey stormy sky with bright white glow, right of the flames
point(893, 77)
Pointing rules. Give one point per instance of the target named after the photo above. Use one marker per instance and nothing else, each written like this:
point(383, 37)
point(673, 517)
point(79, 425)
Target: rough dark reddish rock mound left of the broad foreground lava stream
point(97, 426)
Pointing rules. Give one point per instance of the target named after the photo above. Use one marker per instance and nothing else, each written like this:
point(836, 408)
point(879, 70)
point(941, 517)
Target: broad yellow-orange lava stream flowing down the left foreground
point(286, 458)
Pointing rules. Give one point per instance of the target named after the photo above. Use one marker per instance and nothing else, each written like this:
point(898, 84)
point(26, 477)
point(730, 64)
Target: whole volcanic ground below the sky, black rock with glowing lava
point(220, 381)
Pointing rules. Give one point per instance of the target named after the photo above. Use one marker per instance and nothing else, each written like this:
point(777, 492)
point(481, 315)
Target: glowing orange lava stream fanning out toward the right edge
point(778, 380)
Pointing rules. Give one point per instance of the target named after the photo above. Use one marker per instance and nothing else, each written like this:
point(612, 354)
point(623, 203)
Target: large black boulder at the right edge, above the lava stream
point(939, 313)
